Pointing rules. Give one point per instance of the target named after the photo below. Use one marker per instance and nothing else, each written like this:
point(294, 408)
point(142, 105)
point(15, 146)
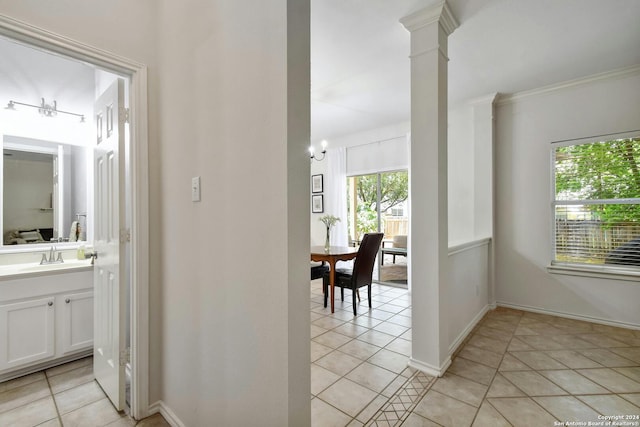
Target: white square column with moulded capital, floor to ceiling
point(429, 29)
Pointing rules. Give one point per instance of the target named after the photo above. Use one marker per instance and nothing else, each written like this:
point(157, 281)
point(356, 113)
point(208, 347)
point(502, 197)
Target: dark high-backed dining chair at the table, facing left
point(360, 275)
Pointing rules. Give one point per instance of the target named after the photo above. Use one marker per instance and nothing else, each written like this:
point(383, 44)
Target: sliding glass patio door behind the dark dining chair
point(378, 202)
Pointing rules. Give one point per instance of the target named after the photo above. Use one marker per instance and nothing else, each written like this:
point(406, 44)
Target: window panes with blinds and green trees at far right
point(596, 206)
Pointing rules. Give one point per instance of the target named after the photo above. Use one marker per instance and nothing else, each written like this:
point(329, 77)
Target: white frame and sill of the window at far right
point(609, 271)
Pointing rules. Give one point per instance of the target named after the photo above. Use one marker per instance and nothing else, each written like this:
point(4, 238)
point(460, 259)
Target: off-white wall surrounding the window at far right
point(526, 124)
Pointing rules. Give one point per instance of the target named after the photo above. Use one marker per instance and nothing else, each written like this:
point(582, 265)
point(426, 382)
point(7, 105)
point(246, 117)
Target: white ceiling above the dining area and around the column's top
point(360, 66)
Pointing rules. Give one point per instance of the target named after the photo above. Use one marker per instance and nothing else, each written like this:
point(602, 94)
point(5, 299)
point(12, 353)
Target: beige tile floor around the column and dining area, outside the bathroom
point(515, 369)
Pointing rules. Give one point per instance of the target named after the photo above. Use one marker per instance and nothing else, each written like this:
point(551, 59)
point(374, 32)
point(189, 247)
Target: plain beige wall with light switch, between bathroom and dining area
point(229, 309)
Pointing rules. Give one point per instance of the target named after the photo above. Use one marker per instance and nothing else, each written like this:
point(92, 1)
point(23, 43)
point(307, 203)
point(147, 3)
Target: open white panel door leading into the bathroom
point(109, 294)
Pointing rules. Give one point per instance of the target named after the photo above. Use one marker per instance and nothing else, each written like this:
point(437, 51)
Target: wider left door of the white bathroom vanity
point(26, 332)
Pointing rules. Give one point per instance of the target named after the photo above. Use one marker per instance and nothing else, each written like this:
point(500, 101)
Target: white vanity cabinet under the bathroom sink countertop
point(44, 317)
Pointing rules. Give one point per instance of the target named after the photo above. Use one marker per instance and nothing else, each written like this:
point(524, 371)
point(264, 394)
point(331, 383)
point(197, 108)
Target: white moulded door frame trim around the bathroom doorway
point(133, 231)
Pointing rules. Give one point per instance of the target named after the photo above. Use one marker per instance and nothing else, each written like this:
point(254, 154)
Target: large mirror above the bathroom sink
point(45, 192)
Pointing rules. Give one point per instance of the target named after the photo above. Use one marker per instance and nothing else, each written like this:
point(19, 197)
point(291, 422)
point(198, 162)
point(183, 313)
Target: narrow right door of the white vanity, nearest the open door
point(77, 321)
